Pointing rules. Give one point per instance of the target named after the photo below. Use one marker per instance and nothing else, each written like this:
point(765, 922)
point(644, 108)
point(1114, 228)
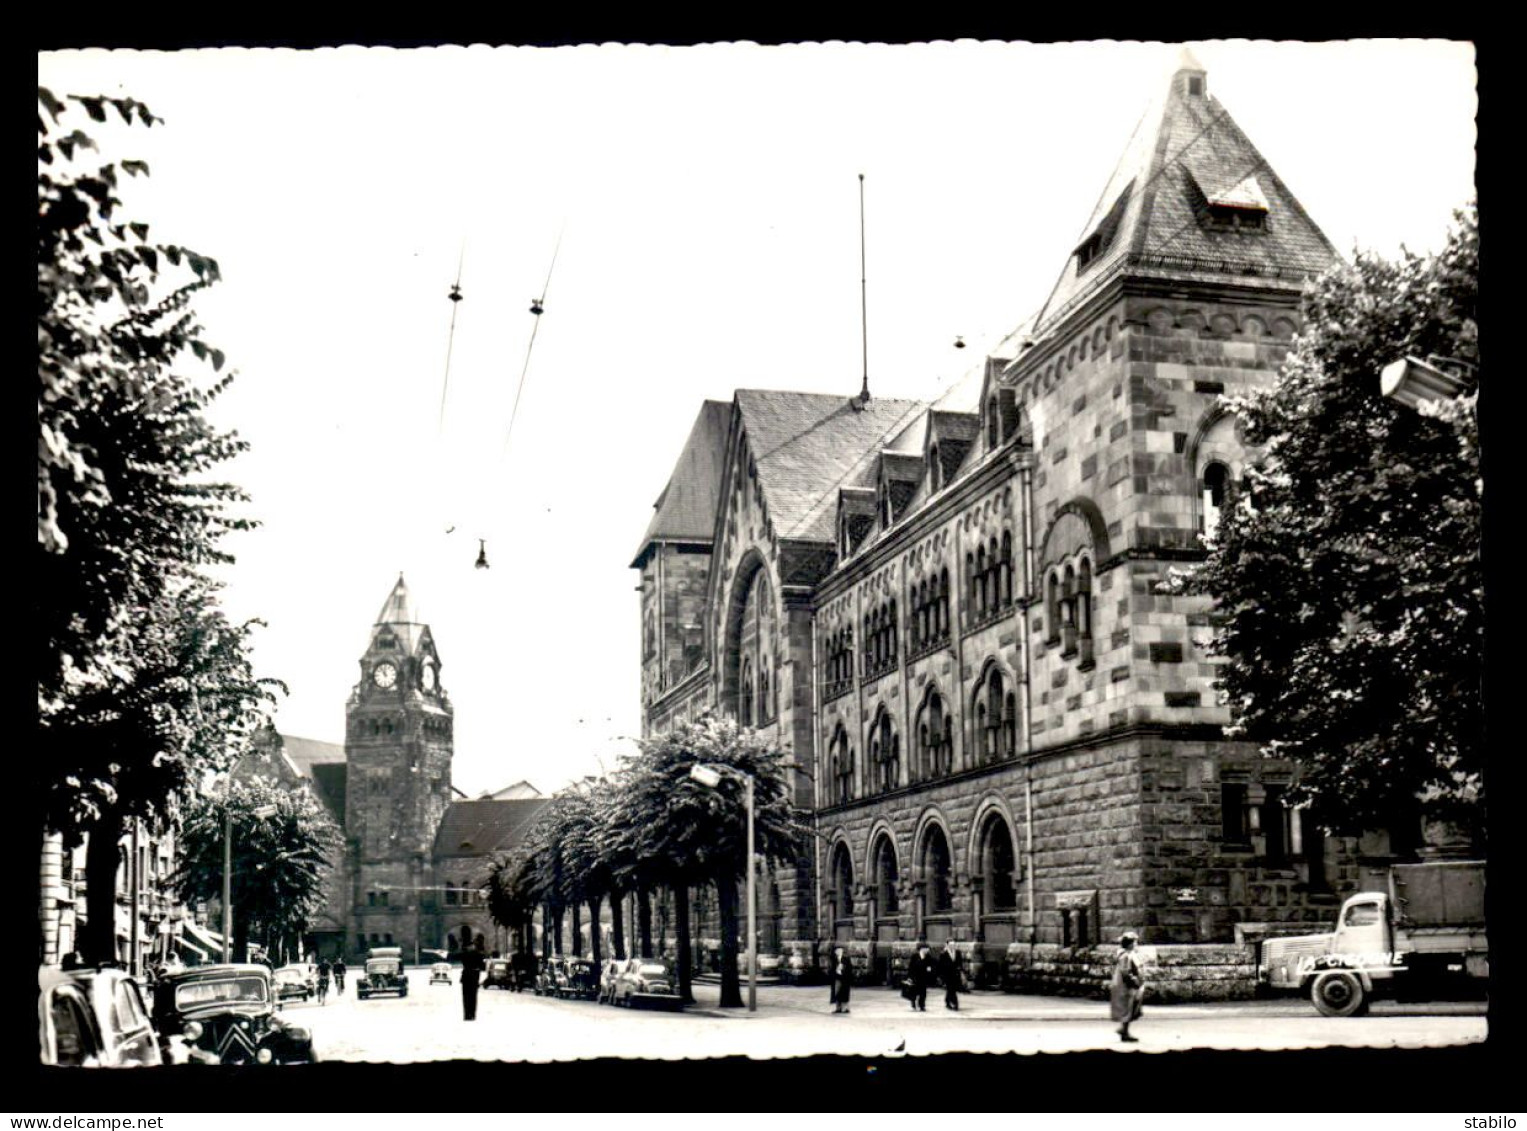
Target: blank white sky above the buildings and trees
point(708, 201)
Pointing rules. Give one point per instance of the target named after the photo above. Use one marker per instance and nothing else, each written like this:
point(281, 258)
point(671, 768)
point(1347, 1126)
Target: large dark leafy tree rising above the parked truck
point(1348, 578)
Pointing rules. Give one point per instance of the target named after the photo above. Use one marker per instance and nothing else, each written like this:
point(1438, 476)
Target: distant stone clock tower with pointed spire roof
point(398, 788)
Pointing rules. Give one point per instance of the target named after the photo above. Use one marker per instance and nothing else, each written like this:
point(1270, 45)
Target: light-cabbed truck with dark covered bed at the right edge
point(1421, 938)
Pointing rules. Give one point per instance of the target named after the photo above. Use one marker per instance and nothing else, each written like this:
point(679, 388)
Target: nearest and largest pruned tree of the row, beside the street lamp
point(688, 834)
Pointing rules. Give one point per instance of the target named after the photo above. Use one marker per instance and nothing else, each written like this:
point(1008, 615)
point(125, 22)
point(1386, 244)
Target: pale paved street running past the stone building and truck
point(798, 1022)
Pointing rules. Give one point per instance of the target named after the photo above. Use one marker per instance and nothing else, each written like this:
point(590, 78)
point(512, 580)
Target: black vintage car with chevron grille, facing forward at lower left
point(228, 1016)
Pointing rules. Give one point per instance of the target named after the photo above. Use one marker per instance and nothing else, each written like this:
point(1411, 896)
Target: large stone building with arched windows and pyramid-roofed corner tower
point(954, 614)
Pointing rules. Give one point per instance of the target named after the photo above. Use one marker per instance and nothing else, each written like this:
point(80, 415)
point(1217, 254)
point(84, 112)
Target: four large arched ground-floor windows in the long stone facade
point(996, 869)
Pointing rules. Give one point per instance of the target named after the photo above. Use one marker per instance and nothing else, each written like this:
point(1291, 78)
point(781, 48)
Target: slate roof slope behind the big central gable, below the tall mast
point(809, 445)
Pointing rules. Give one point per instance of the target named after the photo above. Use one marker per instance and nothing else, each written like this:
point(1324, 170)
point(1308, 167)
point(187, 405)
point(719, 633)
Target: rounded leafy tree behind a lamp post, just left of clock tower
point(282, 845)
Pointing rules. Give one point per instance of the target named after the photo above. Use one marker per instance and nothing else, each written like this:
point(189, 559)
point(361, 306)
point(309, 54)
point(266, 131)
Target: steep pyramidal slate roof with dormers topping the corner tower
point(1187, 153)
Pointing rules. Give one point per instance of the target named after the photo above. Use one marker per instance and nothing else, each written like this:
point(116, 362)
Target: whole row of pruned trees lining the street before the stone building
point(650, 826)
